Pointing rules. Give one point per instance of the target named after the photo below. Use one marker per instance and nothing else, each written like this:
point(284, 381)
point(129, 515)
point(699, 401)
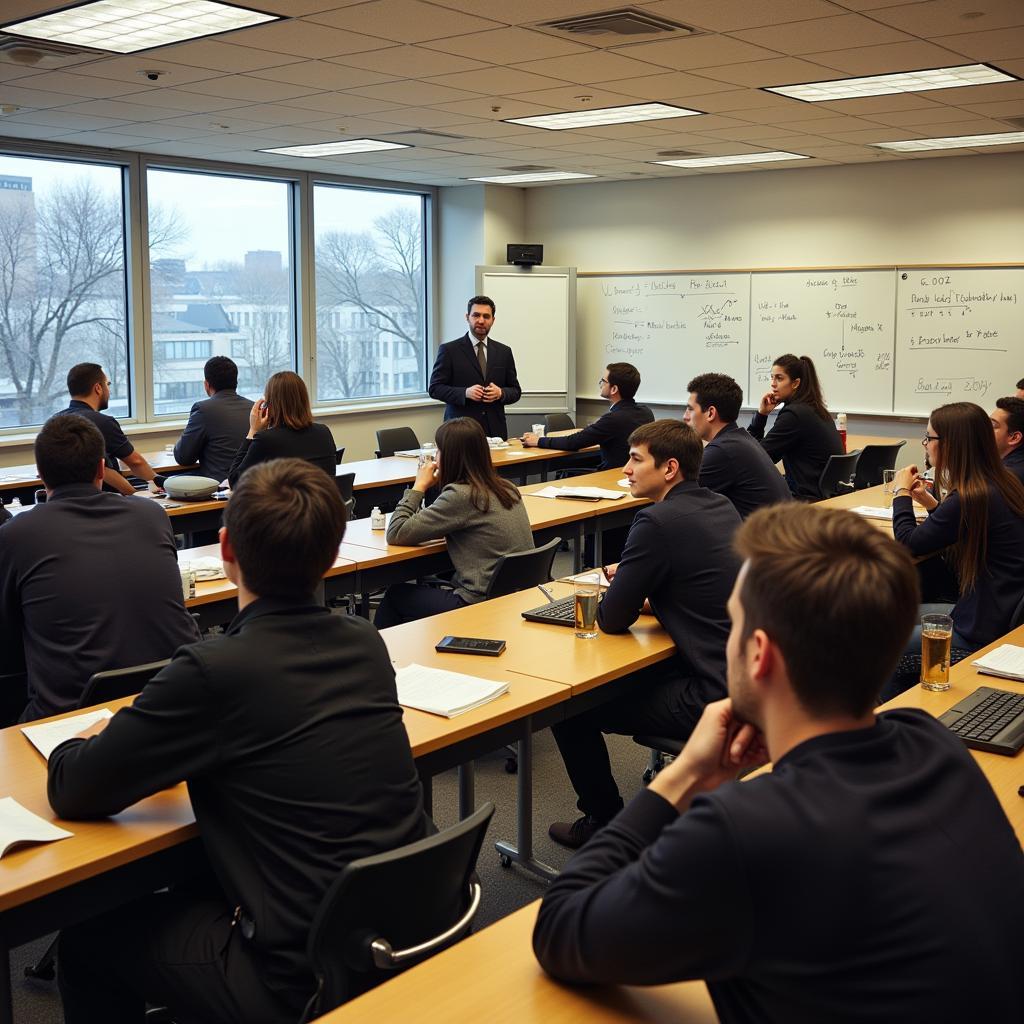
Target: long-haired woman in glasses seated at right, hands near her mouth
point(980, 519)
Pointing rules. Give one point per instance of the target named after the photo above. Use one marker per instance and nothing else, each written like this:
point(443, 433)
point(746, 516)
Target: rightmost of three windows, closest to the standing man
point(370, 269)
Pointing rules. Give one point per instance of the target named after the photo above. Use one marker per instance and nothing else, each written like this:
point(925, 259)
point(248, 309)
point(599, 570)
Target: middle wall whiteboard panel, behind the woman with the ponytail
point(843, 320)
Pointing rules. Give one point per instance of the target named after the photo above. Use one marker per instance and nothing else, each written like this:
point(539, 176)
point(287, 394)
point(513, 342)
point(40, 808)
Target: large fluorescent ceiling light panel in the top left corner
point(130, 26)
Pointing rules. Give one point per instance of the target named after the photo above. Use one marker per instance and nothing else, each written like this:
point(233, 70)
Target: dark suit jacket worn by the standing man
point(457, 369)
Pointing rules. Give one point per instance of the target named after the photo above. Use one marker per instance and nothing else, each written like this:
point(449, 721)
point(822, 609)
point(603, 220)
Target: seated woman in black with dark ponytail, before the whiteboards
point(804, 436)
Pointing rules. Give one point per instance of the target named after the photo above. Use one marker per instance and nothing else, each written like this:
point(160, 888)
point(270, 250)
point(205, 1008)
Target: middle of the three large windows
point(221, 273)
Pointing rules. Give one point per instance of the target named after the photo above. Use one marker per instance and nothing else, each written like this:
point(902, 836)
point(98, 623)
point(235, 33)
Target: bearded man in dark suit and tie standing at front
point(475, 375)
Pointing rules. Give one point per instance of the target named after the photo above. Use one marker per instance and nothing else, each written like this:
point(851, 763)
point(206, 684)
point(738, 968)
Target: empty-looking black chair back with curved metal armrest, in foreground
point(387, 913)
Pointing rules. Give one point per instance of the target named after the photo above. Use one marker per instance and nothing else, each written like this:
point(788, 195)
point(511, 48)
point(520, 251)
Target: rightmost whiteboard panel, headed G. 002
point(960, 337)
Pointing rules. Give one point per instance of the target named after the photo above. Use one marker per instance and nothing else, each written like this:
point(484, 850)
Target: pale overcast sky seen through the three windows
point(226, 218)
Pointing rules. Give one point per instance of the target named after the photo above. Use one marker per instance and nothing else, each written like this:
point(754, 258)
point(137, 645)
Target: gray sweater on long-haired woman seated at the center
point(476, 540)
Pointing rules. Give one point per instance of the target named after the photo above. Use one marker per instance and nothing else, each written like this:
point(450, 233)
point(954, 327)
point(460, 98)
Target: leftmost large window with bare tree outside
point(63, 281)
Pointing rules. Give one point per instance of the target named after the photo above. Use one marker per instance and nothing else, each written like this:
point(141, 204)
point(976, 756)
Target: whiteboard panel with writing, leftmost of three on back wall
point(670, 327)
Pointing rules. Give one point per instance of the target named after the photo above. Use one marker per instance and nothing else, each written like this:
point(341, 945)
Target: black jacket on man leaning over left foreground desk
point(289, 735)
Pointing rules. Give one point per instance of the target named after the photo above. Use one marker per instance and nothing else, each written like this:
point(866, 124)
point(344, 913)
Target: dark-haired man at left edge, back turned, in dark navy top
point(90, 581)
